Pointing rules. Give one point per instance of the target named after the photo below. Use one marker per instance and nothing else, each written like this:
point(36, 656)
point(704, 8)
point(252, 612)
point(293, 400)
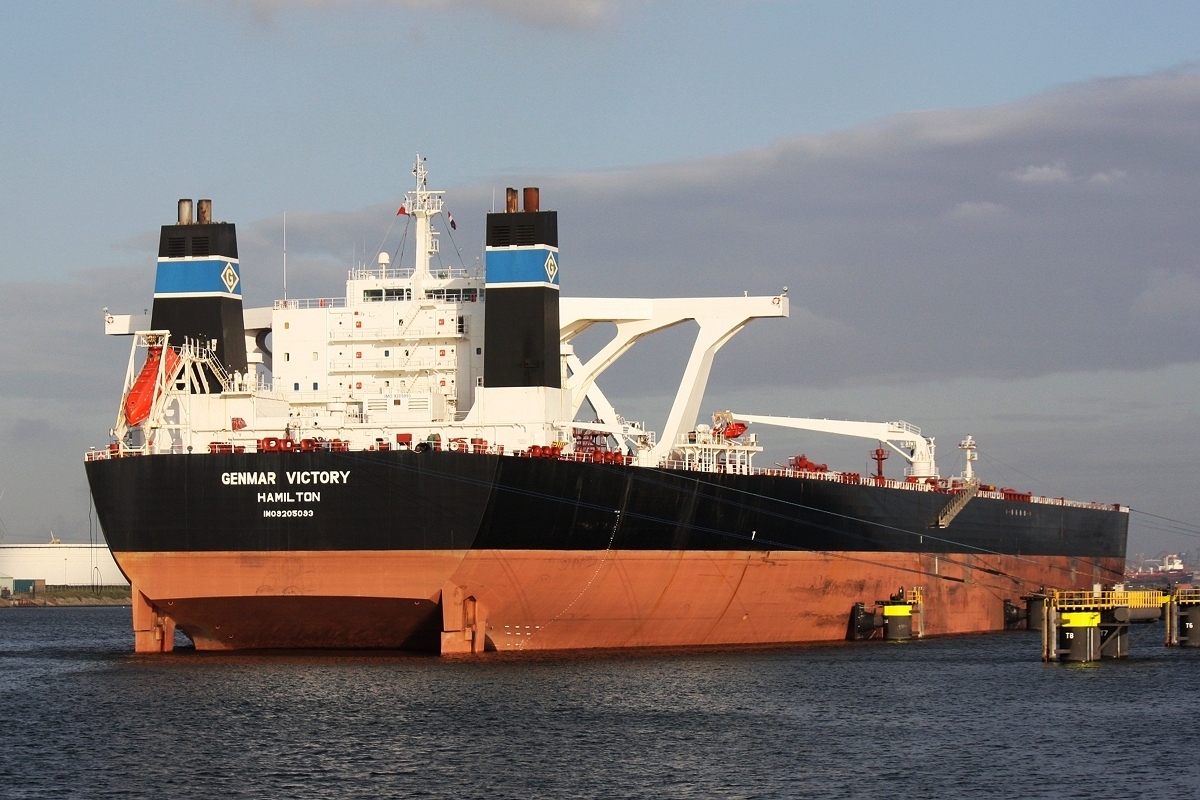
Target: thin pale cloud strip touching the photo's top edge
point(548, 14)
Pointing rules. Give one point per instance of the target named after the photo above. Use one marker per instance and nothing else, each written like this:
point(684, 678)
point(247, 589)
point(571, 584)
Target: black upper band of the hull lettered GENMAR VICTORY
point(447, 501)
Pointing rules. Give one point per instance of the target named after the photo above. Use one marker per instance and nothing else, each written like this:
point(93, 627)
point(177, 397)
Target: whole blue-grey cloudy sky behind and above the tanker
point(986, 216)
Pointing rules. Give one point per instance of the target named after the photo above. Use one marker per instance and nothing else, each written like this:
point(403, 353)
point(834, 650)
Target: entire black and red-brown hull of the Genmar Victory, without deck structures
point(451, 551)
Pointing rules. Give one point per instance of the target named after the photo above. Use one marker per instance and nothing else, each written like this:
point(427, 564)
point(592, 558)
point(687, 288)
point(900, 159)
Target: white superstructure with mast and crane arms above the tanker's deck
point(399, 362)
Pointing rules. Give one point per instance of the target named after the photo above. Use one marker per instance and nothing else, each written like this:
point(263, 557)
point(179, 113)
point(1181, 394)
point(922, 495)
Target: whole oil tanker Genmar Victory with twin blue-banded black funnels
point(427, 464)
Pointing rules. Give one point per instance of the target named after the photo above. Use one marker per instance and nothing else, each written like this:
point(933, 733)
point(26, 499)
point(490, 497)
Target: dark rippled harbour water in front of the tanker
point(974, 717)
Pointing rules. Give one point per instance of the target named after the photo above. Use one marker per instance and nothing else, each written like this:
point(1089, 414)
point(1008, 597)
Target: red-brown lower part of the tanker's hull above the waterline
point(463, 601)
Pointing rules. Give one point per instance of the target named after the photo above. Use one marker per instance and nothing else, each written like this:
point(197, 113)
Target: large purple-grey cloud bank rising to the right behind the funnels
point(881, 232)
